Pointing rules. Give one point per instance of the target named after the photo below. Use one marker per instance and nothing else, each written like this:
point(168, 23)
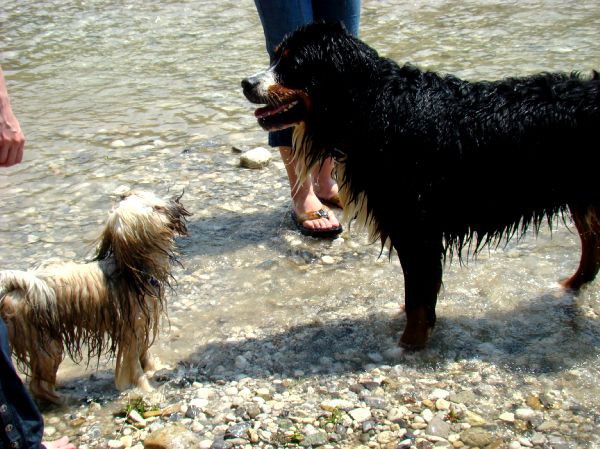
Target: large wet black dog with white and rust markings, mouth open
point(433, 164)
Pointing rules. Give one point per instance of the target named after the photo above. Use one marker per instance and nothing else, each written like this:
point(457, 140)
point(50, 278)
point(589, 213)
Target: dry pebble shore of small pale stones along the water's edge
point(463, 404)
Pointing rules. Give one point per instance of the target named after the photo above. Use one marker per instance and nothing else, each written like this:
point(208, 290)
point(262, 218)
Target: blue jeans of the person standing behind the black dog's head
point(280, 17)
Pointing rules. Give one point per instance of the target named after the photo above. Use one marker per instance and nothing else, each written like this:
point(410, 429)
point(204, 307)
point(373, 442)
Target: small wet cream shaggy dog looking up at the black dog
point(111, 305)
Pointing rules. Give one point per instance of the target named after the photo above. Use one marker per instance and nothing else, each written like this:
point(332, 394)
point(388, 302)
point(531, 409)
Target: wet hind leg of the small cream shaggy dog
point(44, 366)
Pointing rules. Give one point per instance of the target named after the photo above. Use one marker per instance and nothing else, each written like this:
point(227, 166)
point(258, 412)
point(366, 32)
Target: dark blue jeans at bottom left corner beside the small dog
point(21, 424)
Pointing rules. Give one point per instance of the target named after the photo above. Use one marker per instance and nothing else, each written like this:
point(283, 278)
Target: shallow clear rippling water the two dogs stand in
point(147, 95)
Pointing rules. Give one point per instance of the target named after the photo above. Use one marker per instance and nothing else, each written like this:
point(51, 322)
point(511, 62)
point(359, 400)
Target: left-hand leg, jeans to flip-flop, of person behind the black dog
point(278, 19)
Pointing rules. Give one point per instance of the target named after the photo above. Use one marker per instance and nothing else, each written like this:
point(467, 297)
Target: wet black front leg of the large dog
point(421, 260)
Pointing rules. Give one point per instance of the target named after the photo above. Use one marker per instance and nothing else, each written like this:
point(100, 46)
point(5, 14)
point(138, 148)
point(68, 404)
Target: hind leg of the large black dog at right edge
point(587, 222)
